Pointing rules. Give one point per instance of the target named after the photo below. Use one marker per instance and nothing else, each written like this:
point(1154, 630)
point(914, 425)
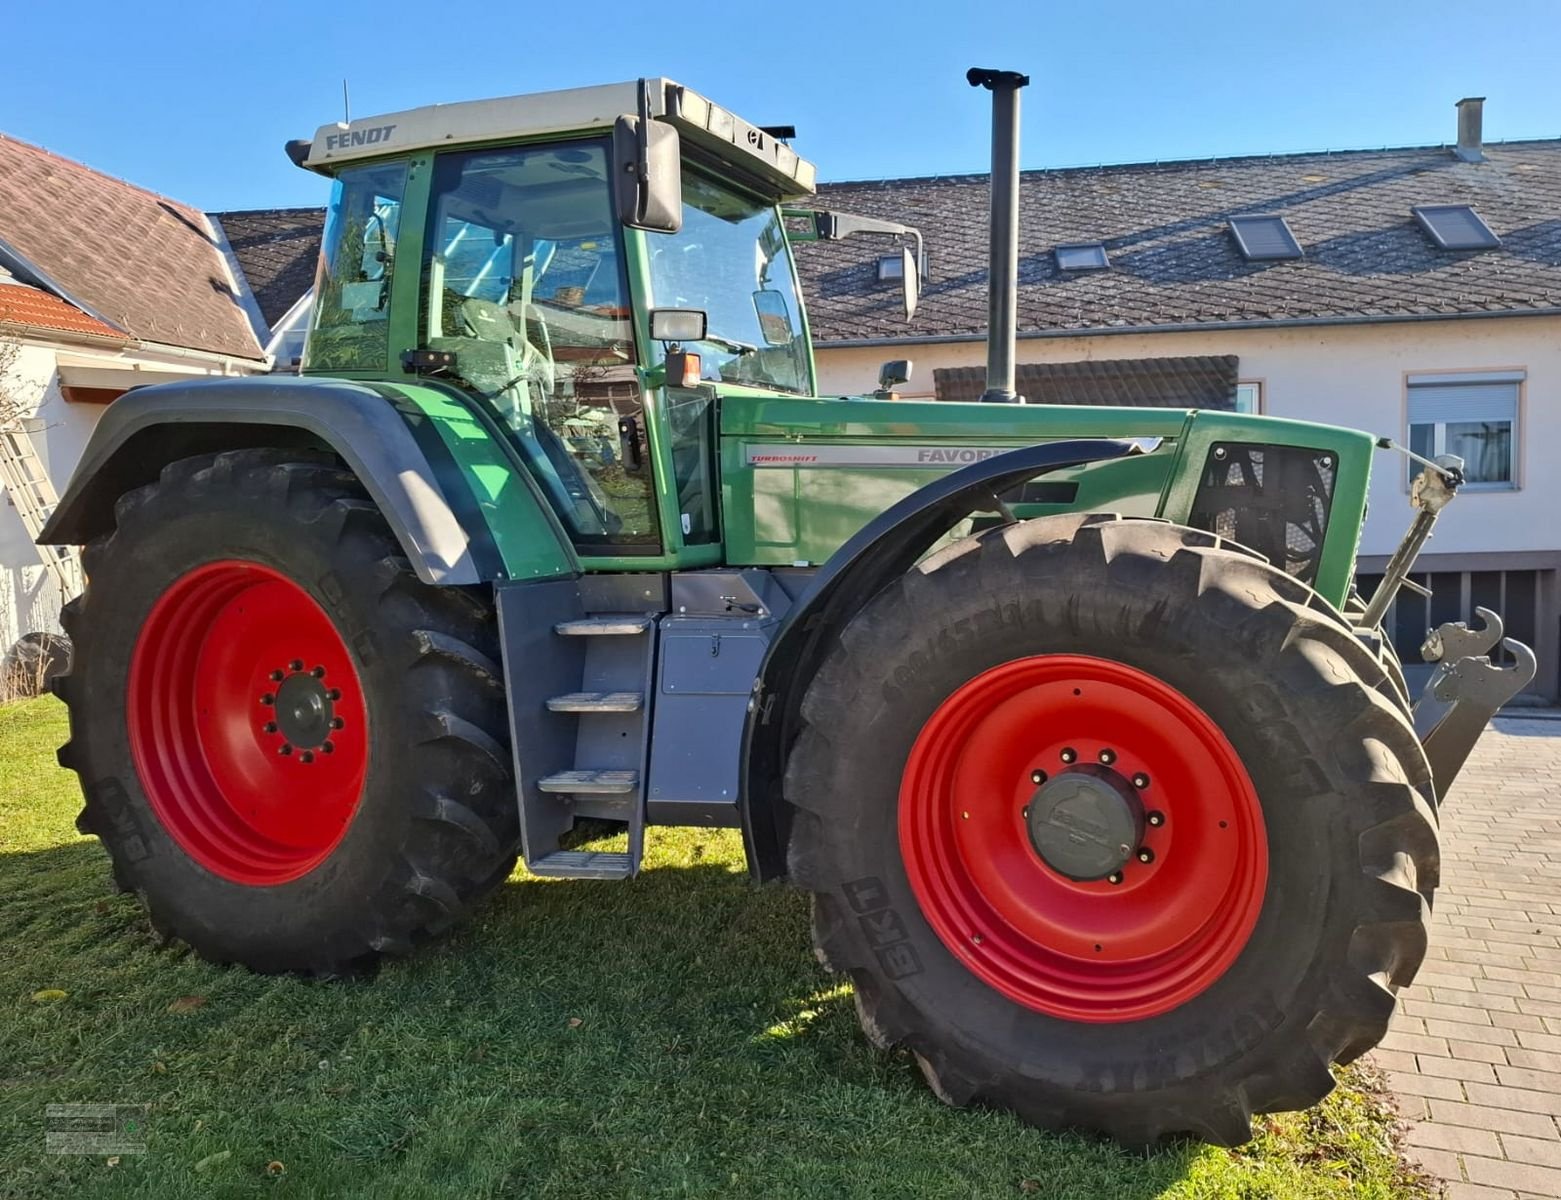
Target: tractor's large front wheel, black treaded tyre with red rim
point(1190, 1029)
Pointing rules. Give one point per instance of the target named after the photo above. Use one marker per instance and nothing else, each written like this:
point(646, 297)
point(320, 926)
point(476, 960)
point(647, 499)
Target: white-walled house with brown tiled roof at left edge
point(104, 286)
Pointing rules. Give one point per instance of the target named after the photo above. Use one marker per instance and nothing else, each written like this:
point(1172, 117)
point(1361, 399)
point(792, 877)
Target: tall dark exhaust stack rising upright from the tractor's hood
point(1003, 271)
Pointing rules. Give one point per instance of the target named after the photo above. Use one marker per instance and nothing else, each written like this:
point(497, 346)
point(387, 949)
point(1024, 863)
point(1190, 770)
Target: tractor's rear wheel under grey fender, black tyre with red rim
point(391, 815)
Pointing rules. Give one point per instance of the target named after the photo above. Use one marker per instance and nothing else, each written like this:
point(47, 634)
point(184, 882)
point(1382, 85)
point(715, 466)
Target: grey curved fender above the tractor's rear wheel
point(394, 453)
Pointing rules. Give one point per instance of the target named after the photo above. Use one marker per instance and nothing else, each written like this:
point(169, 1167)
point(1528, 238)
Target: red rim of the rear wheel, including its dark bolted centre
point(247, 723)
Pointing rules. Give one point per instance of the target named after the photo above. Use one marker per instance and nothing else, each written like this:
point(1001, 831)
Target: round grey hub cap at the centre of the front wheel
point(1086, 823)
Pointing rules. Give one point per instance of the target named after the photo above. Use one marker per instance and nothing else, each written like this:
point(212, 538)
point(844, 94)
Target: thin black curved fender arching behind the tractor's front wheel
point(881, 552)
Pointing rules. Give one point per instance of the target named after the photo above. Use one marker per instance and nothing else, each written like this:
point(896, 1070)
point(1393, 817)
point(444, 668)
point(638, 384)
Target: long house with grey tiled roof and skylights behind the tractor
point(1415, 293)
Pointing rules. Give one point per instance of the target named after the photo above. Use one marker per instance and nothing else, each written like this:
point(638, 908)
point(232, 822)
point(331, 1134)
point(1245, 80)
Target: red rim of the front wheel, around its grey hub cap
point(1095, 951)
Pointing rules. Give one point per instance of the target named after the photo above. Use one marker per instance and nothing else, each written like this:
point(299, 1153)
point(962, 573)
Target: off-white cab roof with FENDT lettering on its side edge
point(714, 130)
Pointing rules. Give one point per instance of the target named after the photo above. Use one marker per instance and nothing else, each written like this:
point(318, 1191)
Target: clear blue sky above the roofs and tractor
point(196, 101)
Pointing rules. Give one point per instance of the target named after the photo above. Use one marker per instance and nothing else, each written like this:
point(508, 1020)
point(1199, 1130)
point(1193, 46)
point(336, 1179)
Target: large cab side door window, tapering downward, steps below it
point(524, 280)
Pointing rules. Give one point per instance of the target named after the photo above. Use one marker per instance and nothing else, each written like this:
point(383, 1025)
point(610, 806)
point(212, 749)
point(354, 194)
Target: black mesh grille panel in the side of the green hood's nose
point(1273, 500)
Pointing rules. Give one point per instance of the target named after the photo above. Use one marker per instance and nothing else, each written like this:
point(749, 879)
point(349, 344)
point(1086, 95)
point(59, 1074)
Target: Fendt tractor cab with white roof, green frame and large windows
point(596, 268)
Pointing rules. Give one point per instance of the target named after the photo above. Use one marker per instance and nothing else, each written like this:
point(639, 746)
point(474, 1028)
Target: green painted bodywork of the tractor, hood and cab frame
point(783, 513)
